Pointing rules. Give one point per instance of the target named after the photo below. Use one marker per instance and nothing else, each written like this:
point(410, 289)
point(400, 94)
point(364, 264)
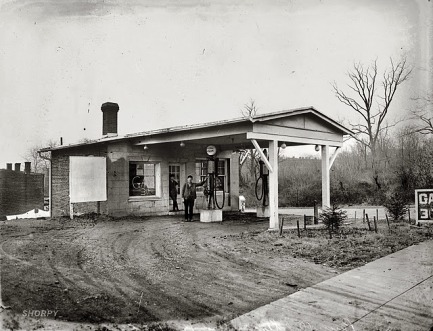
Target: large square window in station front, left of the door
point(144, 179)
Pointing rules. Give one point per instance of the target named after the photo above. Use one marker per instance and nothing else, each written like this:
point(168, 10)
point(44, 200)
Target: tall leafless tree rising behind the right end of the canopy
point(371, 98)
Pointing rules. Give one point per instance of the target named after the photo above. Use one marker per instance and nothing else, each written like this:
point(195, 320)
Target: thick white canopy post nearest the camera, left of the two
point(273, 185)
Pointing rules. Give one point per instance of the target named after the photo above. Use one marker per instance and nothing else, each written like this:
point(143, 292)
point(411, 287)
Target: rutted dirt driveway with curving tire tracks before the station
point(136, 270)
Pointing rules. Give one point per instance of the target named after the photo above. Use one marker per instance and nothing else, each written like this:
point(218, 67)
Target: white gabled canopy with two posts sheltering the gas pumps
point(303, 126)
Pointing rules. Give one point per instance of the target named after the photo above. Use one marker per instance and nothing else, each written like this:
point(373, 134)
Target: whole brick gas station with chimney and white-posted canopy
point(129, 175)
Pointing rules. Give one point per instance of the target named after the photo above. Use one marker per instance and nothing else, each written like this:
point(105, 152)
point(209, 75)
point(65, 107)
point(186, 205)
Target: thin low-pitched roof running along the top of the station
point(185, 128)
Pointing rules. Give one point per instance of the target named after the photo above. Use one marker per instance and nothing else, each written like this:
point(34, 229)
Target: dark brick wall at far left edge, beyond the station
point(20, 192)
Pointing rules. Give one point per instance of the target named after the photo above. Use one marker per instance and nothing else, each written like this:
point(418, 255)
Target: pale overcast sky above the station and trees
point(169, 63)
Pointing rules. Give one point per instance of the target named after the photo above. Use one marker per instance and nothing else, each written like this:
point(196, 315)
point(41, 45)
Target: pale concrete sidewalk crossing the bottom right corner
point(391, 293)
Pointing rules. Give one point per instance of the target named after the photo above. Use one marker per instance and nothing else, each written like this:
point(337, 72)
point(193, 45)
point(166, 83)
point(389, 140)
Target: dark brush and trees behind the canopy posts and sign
point(404, 162)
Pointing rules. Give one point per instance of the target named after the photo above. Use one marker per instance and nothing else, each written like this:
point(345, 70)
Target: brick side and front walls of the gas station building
point(119, 154)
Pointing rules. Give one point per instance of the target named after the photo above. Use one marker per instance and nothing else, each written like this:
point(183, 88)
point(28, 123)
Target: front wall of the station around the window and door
point(119, 156)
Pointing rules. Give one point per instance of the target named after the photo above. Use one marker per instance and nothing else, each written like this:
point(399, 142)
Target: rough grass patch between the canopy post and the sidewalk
point(352, 246)
